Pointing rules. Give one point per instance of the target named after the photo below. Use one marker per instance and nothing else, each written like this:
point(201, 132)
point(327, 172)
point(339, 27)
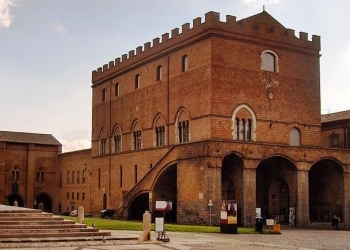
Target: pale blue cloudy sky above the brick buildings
point(48, 49)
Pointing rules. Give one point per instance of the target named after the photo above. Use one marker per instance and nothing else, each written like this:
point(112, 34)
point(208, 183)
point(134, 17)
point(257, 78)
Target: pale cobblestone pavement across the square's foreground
point(288, 239)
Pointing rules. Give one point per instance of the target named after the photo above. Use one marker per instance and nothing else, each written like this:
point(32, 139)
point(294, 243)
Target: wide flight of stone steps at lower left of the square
point(21, 223)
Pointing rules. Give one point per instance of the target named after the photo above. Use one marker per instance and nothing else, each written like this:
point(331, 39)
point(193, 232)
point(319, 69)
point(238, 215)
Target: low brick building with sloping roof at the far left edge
point(28, 165)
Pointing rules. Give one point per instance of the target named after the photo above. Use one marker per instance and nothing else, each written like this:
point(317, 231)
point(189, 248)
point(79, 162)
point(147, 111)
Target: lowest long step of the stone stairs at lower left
point(53, 234)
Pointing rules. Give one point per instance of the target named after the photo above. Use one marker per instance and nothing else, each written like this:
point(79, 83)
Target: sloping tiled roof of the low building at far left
point(22, 137)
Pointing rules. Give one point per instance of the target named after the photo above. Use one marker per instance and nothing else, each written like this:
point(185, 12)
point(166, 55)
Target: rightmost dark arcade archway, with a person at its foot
point(326, 191)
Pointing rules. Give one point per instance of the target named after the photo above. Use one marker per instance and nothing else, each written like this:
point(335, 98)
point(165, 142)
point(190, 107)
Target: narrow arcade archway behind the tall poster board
point(232, 182)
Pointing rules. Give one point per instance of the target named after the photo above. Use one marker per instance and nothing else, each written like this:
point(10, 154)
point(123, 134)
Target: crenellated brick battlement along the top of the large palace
point(260, 26)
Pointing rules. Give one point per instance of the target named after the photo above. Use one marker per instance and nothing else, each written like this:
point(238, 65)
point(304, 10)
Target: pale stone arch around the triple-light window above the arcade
point(245, 112)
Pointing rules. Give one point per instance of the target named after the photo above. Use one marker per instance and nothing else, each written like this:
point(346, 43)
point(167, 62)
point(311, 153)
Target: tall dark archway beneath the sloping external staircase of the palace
point(165, 189)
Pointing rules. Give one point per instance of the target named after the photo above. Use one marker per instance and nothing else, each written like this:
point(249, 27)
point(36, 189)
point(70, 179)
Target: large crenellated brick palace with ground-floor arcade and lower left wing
point(219, 110)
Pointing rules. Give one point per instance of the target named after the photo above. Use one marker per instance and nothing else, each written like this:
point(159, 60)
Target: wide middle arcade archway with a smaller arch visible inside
point(276, 188)
